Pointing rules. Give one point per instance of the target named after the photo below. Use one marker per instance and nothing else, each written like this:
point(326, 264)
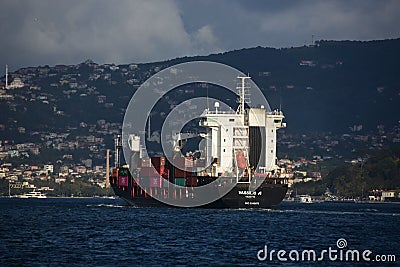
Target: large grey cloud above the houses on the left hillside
point(51, 32)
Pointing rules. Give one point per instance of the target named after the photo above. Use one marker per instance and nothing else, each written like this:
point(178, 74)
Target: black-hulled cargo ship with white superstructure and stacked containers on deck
point(236, 169)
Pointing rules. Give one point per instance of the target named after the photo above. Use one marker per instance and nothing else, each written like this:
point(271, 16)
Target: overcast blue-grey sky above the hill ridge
point(40, 32)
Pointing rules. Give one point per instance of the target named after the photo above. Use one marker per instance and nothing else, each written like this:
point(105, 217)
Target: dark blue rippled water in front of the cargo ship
point(105, 232)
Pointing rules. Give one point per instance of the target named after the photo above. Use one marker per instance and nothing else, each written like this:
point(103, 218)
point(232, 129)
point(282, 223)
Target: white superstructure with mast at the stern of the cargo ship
point(235, 140)
